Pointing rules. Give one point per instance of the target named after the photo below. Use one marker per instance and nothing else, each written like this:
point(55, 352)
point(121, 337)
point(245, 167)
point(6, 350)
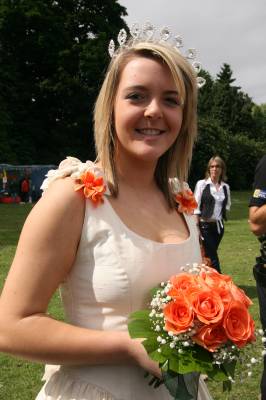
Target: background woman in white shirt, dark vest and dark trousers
point(213, 197)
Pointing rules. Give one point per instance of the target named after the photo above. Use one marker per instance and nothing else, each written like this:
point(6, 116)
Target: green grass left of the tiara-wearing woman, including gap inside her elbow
point(19, 380)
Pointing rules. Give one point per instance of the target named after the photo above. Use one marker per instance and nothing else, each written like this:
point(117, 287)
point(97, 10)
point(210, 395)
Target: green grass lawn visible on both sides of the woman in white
point(20, 380)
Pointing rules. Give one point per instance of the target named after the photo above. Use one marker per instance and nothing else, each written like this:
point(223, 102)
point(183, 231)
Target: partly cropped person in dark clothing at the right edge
point(257, 222)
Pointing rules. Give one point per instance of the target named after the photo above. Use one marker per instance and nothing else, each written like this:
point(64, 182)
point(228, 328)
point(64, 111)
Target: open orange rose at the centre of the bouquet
point(208, 306)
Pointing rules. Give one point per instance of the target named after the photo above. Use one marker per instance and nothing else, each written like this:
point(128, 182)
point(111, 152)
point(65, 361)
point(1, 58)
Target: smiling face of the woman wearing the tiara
point(147, 110)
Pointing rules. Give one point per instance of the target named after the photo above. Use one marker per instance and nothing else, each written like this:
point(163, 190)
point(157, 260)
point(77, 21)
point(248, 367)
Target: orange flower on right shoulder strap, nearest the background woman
point(183, 196)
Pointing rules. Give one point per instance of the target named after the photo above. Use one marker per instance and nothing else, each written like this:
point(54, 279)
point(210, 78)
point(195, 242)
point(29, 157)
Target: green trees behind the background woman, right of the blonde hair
point(231, 125)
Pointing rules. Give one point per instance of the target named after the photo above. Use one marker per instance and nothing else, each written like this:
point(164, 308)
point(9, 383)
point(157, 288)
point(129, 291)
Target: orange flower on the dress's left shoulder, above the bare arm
point(93, 187)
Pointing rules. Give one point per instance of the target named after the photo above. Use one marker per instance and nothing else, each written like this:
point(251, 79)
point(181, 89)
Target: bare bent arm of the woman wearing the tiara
point(45, 254)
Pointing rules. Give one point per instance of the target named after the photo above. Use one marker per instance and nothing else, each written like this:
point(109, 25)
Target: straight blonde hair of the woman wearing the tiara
point(176, 160)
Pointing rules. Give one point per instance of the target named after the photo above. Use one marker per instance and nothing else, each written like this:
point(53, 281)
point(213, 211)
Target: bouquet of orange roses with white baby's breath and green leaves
point(197, 323)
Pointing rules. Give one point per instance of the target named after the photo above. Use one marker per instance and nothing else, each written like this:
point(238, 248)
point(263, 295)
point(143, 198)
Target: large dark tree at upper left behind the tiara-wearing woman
point(53, 54)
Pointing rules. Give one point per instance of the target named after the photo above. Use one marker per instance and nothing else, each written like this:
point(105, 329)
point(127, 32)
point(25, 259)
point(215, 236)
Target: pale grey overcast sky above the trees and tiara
point(222, 31)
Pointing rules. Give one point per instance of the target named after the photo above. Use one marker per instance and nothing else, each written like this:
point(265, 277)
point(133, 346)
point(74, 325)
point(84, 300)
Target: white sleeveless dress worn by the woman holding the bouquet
point(113, 273)
